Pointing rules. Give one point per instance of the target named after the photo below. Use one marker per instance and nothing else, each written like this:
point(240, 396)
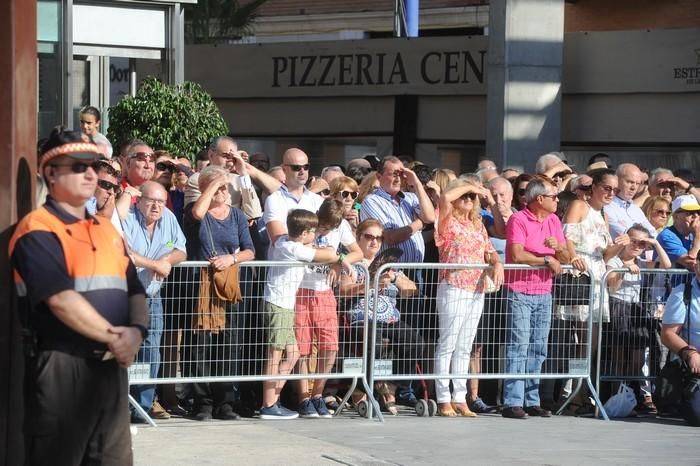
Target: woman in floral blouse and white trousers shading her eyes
point(461, 238)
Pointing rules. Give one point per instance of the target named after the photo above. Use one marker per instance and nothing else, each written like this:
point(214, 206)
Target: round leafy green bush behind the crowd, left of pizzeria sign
point(181, 119)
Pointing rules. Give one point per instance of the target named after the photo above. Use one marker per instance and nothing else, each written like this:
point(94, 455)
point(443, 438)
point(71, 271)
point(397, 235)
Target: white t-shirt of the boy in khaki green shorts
point(283, 282)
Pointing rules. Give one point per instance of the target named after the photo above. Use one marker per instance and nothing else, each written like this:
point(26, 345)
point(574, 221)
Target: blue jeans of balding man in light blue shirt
point(150, 353)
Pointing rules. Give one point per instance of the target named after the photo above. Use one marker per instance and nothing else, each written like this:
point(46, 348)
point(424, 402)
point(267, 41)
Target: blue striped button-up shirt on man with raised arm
point(380, 205)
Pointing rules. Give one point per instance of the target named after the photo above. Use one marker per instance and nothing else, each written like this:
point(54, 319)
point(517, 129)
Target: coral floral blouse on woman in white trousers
point(463, 242)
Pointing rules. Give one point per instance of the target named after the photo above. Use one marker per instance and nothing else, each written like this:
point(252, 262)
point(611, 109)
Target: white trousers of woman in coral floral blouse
point(459, 312)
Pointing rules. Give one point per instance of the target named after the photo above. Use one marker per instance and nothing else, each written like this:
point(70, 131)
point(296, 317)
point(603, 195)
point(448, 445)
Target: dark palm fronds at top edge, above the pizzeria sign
point(219, 21)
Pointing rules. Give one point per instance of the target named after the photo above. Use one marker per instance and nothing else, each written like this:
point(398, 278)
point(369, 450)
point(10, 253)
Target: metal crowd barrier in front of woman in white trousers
point(408, 350)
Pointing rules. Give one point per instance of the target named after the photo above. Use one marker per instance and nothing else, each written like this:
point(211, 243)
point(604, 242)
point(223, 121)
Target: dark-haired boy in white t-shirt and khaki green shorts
point(280, 291)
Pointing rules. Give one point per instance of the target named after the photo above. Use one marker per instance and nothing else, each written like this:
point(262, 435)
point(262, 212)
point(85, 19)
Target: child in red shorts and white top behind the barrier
point(316, 307)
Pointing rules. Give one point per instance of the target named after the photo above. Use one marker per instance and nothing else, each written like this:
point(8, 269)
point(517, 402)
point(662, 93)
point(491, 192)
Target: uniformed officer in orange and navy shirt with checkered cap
point(84, 313)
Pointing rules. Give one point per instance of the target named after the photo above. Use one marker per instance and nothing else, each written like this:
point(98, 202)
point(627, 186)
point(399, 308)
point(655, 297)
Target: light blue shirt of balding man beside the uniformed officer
point(167, 236)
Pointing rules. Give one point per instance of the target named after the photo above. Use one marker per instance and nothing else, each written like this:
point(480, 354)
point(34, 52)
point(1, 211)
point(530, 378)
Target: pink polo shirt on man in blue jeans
point(524, 228)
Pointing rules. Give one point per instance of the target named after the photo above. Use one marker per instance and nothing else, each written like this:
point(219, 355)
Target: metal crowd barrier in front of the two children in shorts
point(229, 343)
